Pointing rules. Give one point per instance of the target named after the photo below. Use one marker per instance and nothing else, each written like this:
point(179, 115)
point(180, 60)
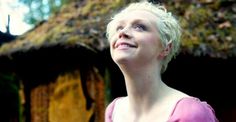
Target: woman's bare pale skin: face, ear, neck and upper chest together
point(137, 50)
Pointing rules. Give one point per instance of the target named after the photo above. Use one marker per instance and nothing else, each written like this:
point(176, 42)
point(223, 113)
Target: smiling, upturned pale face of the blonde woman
point(136, 38)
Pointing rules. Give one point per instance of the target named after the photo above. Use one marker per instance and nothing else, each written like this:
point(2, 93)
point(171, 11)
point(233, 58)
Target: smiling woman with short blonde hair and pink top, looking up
point(143, 39)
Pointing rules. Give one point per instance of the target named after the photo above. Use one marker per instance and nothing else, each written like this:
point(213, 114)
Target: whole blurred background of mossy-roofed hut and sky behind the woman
point(55, 64)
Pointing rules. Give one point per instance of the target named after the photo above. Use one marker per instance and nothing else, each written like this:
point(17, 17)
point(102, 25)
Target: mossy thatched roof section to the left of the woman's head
point(75, 24)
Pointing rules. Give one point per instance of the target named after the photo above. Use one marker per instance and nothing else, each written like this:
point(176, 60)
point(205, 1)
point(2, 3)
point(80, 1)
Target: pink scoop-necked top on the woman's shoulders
point(188, 109)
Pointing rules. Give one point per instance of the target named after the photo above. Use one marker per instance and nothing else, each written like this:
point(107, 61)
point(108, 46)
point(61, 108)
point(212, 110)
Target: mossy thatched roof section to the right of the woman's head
point(209, 26)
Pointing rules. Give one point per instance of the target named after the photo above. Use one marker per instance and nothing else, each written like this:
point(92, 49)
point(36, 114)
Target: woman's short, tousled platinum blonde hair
point(167, 25)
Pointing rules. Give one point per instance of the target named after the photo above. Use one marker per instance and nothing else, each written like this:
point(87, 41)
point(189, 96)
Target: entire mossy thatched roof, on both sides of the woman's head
point(209, 27)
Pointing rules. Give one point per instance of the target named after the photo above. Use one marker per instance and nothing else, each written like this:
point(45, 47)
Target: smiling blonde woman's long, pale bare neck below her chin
point(144, 87)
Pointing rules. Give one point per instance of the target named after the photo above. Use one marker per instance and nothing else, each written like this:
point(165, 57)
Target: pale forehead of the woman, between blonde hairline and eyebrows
point(137, 15)
